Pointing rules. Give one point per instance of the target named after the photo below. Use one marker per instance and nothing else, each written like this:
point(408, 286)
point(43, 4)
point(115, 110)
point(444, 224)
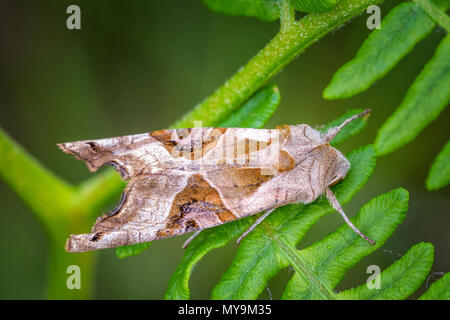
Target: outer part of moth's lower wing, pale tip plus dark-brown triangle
point(155, 207)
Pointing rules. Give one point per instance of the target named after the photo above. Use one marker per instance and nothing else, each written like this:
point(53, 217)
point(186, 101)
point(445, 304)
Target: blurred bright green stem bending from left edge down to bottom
point(52, 201)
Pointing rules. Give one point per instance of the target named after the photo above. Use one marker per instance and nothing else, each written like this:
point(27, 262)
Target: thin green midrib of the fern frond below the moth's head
point(302, 268)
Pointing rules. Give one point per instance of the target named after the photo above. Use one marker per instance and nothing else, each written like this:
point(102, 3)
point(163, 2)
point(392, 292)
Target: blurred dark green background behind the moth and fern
point(137, 66)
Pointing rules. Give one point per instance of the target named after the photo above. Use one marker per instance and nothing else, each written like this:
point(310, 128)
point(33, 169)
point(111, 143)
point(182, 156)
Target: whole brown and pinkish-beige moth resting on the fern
point(186, 180)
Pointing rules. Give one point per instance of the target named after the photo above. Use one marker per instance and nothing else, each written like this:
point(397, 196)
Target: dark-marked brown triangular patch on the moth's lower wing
point(198, 206)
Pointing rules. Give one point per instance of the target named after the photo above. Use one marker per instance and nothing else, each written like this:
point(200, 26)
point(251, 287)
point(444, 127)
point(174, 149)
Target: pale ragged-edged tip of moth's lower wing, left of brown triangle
point(140, 214)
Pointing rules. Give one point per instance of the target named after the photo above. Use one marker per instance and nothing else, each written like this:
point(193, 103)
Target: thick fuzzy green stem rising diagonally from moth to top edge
point(284, 47)
